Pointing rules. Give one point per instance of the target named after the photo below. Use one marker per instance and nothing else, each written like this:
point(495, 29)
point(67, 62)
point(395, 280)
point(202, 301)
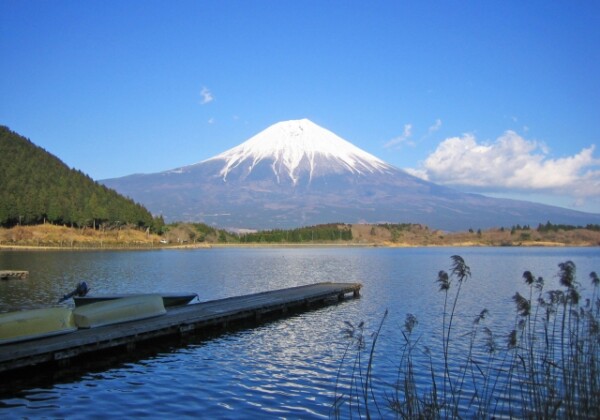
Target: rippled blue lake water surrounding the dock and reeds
point(287, 368)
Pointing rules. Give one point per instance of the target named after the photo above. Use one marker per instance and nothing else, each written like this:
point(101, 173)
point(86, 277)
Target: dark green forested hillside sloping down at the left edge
point(36, 187)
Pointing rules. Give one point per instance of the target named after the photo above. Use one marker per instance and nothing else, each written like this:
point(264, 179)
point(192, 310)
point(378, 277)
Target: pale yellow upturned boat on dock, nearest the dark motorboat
point(118, 310)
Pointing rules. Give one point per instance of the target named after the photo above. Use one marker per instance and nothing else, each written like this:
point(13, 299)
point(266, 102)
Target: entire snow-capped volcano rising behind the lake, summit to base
point(296, 173)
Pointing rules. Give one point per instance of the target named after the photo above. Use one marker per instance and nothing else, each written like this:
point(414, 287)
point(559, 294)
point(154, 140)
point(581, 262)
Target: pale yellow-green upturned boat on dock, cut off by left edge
point(35, 323)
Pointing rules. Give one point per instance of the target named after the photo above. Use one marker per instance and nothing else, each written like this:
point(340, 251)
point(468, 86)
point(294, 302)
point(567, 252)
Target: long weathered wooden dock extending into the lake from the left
point(181, 320)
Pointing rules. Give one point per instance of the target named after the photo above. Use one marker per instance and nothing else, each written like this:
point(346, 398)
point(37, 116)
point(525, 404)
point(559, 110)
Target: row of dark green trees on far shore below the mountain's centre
point(318, 233)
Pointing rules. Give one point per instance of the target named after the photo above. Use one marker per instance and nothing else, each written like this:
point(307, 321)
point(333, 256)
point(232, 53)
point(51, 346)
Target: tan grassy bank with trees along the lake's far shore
point(386, 235)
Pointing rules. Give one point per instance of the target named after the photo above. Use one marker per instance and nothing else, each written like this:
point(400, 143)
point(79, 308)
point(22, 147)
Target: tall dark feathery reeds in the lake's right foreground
point(547, 366)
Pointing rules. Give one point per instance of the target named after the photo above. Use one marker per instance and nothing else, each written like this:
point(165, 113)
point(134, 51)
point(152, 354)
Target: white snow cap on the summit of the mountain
point(297, 147)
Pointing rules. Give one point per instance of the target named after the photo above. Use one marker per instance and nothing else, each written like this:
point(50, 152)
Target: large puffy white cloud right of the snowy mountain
point(511, 163)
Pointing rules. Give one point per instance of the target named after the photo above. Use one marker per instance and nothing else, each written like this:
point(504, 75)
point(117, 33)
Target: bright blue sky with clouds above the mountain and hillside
point(496, 97)
